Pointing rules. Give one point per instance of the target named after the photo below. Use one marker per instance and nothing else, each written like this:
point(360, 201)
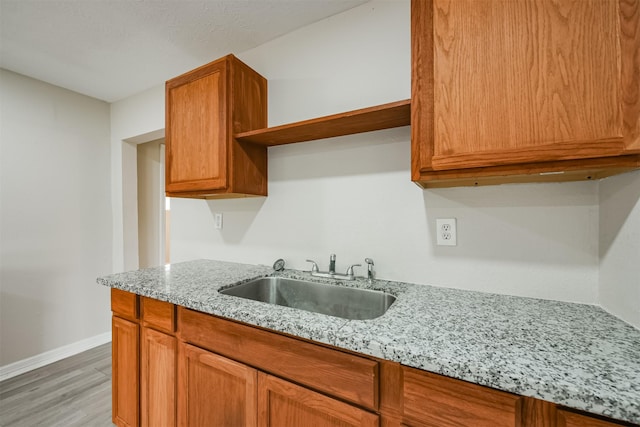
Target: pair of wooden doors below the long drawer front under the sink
point(217, 391)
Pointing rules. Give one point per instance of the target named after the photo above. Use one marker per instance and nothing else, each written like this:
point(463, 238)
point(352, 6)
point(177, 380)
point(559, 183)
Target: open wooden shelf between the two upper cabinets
point(394, 114)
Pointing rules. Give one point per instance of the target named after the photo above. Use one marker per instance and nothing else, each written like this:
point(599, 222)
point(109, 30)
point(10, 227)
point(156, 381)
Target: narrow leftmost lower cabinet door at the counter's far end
point(125, 369)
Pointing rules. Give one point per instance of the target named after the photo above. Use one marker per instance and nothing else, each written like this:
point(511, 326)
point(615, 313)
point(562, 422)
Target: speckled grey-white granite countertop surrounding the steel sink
point(575, 355)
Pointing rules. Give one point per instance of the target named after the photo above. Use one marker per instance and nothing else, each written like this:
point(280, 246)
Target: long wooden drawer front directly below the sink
point(336, 373)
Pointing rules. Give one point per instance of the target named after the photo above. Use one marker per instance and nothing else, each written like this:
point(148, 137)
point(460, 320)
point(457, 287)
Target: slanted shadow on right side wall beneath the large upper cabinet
point(619, 195)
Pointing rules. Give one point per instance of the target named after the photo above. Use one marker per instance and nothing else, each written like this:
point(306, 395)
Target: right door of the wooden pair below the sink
point(281, 403)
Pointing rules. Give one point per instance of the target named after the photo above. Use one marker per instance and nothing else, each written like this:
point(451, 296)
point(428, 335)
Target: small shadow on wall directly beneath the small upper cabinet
point(242, 213)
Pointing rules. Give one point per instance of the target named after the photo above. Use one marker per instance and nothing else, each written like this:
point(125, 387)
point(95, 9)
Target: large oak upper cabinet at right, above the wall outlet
point(517, 91)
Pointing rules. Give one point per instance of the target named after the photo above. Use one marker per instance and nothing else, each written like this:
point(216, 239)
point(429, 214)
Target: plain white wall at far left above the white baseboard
point(55, 221)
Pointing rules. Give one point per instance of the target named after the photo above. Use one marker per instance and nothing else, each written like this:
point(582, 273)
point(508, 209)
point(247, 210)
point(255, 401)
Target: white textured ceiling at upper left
point(111, 49)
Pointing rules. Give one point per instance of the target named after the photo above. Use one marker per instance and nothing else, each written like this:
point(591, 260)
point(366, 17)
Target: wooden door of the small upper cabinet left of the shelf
point(196, 130)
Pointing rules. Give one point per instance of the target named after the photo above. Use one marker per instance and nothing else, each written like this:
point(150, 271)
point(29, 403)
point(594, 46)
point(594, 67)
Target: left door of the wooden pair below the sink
point(214, 391)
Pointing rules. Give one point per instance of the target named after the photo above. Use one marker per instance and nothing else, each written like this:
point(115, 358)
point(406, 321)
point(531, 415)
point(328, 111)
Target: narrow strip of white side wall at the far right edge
point(619, 290)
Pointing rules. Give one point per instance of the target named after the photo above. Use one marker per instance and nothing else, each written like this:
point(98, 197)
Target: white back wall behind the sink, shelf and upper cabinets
point(353, 195)
